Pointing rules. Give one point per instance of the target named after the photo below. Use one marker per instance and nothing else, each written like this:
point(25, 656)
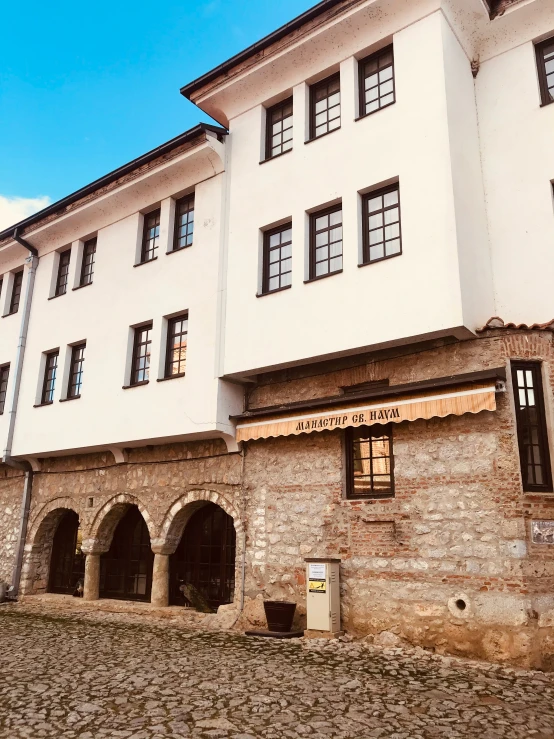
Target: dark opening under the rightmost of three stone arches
point(205, 558)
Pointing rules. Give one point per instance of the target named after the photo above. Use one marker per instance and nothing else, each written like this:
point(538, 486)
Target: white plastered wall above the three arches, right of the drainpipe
point(121, 296)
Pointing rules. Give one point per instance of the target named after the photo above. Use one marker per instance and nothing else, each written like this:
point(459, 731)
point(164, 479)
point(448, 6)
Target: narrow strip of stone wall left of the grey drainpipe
point(11, 491)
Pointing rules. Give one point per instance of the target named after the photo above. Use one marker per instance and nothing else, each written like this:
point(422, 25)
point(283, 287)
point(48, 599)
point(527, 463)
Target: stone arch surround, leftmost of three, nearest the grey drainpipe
point(38, 550)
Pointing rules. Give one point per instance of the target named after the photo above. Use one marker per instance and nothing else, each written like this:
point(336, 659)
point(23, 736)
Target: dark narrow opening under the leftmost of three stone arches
point(67, 565)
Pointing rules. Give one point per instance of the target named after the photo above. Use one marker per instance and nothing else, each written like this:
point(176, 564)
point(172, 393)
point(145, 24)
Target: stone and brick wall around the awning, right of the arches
point(458, 528)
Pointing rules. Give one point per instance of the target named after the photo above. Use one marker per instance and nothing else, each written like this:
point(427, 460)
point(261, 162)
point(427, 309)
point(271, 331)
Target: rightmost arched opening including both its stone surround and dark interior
point(215, 527)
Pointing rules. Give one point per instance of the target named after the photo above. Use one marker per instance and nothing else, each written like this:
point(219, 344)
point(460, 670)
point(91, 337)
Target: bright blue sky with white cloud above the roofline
point(85, 88)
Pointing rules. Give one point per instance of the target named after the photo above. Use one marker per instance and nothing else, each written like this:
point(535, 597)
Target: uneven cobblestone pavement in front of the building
point(91, 678)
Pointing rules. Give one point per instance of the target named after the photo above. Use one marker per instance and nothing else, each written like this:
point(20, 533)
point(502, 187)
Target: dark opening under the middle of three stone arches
point(126, 570)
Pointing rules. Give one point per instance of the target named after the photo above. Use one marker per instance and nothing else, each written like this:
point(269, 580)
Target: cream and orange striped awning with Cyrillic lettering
point(454, 401)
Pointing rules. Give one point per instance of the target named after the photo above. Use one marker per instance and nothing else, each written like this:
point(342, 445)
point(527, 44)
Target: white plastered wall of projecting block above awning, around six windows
point(414, 294)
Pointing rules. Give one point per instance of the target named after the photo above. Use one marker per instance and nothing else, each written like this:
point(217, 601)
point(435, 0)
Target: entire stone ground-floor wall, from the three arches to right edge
point(448, 563)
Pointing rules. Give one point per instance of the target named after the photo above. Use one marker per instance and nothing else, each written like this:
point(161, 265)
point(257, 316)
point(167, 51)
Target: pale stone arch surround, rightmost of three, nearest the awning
point(179, 514)
